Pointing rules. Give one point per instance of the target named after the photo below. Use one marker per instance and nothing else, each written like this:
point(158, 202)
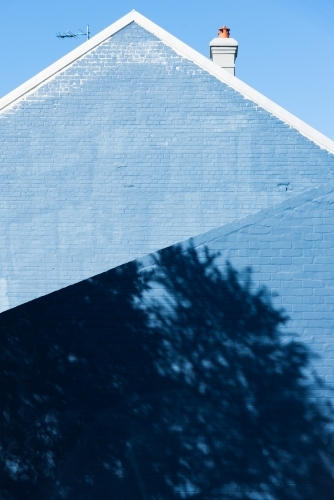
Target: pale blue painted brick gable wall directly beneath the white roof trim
point(128, 150)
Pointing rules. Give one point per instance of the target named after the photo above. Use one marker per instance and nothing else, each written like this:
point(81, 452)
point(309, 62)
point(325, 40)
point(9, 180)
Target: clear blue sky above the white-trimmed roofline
point(285, 46)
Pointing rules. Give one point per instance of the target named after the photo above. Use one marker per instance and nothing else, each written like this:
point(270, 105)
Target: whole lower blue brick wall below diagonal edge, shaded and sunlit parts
point(130, 401)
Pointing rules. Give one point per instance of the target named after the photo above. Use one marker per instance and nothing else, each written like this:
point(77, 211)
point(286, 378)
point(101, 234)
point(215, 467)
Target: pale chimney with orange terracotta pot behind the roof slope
point(224, 50)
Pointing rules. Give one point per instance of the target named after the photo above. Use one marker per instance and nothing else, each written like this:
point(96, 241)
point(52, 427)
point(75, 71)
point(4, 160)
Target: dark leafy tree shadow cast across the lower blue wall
point(163, 384)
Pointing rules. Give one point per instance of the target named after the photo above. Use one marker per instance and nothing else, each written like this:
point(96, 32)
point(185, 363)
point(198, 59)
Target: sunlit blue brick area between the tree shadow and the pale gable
point(290, 250)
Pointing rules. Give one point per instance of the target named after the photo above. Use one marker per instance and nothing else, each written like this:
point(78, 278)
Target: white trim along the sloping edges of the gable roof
point(182, 49)
